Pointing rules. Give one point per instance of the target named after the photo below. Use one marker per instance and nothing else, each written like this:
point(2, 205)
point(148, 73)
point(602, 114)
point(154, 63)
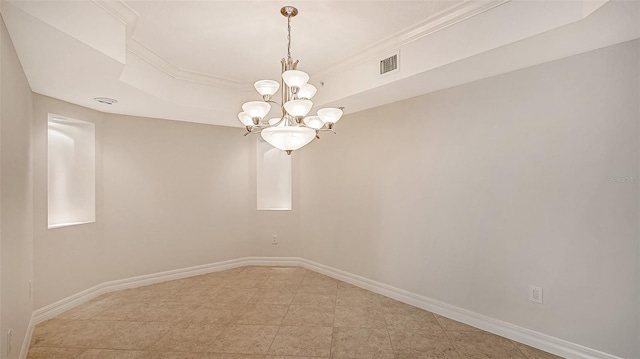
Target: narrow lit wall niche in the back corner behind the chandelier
point(273, 177)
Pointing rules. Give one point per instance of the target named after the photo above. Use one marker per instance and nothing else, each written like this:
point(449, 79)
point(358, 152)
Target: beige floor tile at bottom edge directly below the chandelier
point(302, 341)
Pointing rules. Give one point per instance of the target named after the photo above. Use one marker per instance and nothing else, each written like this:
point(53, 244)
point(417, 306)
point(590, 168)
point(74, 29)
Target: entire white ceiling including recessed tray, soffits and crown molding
point(196, 60)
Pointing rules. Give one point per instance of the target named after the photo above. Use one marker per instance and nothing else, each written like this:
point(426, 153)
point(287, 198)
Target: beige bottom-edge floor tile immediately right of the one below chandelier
point(361, 343)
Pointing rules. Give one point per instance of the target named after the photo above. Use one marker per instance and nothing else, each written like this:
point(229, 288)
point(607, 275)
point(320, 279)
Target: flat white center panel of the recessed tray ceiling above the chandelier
point(244, 41)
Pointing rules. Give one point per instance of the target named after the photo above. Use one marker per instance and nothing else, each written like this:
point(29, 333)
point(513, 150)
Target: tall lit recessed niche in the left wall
point(71, 171)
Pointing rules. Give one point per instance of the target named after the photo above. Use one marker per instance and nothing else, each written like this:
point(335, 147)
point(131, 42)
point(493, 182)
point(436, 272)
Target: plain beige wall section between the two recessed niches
point(175, 195)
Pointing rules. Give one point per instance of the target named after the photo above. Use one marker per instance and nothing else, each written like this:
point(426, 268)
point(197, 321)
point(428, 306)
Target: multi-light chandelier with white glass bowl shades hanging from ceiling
point(293, 129)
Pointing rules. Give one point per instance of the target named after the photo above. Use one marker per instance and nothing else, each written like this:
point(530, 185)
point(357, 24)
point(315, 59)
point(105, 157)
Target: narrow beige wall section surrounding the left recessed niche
point(67, 260)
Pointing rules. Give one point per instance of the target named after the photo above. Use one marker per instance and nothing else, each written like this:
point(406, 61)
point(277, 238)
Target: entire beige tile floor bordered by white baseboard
point(261, 313)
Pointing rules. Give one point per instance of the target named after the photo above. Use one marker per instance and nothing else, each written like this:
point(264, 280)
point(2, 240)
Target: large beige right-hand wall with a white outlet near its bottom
point(471, 194)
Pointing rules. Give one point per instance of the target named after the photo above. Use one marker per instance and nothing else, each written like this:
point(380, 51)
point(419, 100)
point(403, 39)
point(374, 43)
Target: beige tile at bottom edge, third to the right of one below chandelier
point(483, 345)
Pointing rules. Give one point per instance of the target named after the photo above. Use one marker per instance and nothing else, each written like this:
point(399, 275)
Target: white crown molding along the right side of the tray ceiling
point(434, 23)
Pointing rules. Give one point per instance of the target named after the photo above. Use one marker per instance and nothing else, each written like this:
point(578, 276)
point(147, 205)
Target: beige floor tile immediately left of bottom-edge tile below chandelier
point(245, 339)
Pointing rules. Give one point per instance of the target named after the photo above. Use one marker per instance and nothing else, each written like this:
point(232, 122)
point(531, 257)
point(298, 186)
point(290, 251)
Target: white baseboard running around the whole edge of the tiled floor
point(532, 338)
